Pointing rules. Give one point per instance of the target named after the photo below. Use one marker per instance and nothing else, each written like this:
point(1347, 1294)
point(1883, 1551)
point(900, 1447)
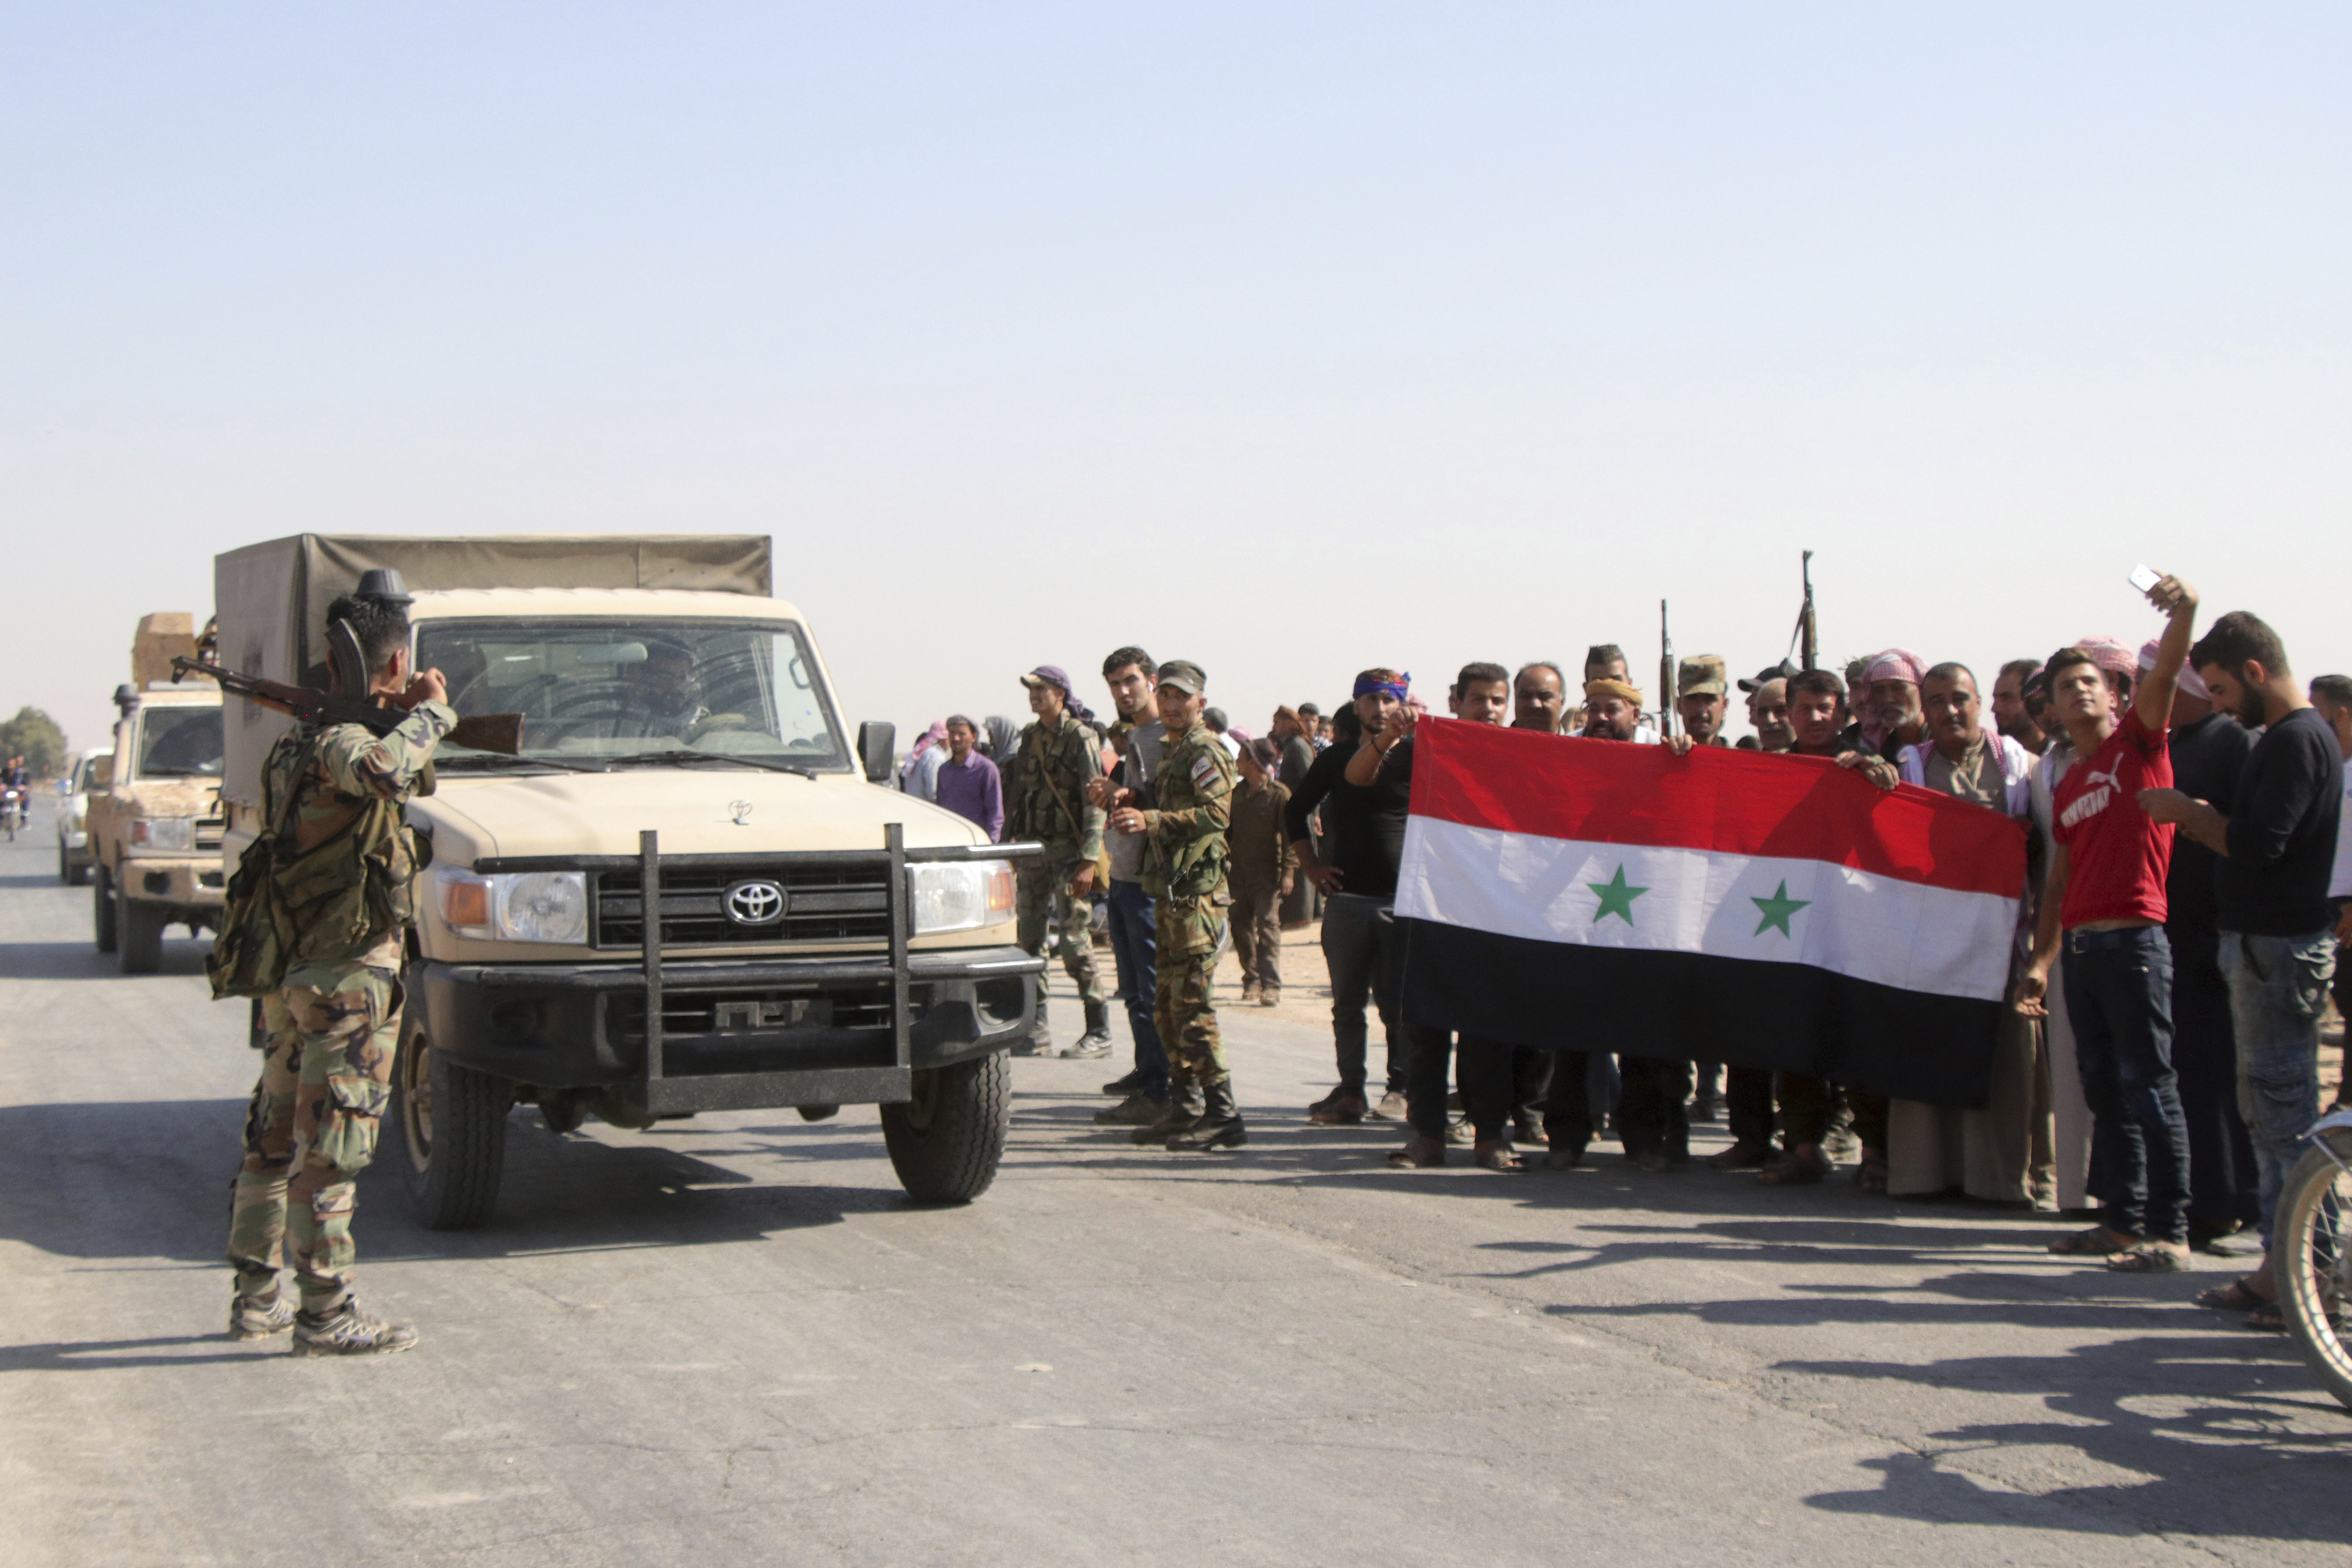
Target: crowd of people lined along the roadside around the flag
point(2158, 1064)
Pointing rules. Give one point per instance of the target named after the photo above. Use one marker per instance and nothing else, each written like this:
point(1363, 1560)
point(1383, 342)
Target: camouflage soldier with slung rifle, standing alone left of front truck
point(345, 871)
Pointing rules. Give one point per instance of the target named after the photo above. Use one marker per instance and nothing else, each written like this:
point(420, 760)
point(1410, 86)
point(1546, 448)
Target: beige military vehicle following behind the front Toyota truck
point(154, 812)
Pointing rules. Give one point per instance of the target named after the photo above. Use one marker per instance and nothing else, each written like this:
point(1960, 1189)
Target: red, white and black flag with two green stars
point(1723, 906)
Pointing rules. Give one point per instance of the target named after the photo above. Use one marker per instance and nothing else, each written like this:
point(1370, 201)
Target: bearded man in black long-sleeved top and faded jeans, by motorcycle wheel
point(2278, 951)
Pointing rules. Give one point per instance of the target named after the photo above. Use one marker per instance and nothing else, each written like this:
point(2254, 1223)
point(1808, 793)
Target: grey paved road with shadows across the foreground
point(733, 1343)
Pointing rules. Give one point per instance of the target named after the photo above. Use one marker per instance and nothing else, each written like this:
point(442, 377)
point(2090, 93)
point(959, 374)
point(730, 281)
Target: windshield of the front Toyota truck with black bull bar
point(632, 688)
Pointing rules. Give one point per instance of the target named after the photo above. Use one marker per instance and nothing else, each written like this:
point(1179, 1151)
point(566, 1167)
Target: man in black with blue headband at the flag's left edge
point(1356, 871)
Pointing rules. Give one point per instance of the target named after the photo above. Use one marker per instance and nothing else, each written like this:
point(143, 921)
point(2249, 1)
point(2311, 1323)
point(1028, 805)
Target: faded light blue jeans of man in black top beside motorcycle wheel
point(2278, 991)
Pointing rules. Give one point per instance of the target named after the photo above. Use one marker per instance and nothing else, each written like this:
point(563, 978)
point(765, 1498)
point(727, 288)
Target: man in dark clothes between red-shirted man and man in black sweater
point(2210, 751)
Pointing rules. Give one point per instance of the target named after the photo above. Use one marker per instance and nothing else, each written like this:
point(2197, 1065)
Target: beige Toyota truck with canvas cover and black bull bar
point(686, 892)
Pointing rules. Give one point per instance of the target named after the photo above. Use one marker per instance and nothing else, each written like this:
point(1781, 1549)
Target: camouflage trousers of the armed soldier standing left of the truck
point(312, 1127)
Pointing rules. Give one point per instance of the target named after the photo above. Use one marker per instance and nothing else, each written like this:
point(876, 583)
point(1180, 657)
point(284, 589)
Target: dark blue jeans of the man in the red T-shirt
point(2120, 998)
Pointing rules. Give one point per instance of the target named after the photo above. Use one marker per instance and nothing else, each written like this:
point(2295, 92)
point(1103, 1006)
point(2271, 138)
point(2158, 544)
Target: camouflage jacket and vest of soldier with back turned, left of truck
point(347, 859)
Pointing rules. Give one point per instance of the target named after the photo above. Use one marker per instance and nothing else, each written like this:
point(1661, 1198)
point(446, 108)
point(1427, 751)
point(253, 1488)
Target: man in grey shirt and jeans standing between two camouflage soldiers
point(1140, 739)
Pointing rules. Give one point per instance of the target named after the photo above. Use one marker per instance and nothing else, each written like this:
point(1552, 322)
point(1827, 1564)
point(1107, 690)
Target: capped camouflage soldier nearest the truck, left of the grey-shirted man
point(1048, 798)
